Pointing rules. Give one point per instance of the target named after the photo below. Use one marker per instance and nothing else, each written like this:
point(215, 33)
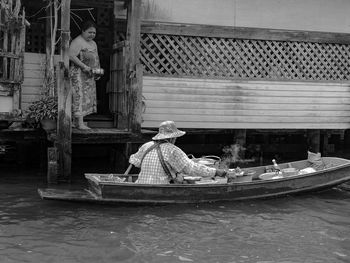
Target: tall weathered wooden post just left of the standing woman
point(64, 128)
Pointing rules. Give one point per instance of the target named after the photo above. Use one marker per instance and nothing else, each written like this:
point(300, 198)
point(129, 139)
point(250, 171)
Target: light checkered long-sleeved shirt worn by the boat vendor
point(177, 161)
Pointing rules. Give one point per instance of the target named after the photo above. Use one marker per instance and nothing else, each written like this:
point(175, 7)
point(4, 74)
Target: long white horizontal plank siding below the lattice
point(230, 104)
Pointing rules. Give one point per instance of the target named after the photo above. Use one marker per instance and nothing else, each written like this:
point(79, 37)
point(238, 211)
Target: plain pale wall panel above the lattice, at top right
point(311, 15)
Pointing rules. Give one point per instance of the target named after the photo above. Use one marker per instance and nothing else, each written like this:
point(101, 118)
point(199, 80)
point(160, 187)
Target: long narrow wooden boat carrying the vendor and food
point(104, 188)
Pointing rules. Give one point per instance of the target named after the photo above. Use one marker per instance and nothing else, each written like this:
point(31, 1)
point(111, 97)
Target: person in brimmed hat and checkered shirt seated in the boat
point(162, 162)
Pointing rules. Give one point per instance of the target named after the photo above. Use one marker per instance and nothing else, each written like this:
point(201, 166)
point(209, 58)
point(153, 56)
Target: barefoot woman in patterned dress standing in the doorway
point(84, 58)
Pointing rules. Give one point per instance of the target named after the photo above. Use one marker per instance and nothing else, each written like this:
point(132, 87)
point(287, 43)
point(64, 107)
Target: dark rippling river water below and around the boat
point(308, 228)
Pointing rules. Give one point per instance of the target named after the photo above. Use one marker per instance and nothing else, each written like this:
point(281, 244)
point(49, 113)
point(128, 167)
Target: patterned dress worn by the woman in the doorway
point(83, 84)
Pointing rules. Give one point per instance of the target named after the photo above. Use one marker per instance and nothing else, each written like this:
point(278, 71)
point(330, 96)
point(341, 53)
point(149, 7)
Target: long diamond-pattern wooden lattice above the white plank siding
point(176, 55)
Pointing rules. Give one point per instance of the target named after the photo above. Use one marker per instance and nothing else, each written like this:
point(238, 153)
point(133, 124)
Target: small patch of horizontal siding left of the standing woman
point(33, 78)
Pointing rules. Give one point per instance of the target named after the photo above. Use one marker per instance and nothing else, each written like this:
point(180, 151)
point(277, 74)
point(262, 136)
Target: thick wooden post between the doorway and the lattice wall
point(133, 66)
